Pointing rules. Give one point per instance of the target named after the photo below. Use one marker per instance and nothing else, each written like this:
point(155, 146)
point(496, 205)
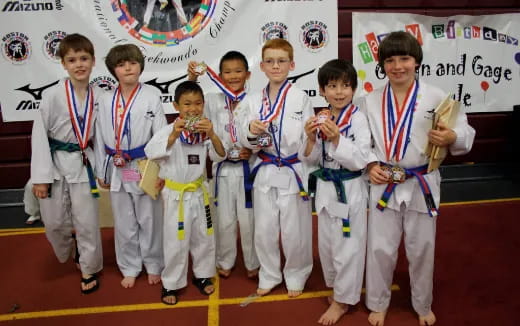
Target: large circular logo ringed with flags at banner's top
point(163, 22)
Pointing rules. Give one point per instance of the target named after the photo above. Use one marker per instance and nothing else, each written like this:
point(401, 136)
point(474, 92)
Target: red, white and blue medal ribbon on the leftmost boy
point(80, 126)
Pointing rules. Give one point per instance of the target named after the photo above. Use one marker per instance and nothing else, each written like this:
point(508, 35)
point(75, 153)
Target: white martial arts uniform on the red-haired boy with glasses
point(278, 206)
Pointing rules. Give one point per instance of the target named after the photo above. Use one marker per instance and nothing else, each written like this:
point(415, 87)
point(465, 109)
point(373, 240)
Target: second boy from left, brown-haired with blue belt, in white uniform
point(128, 117)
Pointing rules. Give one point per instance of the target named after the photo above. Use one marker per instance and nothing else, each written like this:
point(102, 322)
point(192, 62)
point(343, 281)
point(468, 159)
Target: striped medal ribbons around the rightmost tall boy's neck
point(397, 121)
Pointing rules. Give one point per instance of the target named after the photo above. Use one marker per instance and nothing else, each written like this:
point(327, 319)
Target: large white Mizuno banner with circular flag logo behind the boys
point(170, 33)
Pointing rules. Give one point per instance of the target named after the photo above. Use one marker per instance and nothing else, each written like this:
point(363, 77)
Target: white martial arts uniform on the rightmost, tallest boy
point(406, 210)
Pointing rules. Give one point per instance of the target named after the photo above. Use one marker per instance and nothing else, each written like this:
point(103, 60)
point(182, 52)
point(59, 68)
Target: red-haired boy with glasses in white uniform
point(276, 121)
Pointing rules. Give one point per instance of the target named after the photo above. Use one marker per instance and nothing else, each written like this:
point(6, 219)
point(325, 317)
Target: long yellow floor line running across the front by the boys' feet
point(160, 306)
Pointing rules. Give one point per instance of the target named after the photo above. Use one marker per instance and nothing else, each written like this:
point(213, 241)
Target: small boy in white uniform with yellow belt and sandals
point(181, 149)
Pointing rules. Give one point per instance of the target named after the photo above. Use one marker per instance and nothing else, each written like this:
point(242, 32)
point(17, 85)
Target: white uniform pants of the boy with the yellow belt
point(196, 241)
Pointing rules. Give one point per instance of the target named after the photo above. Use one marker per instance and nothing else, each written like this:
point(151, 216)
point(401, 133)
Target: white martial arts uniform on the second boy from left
point(137, 217)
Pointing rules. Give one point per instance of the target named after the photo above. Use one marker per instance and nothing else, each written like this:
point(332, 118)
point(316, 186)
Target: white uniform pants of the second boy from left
point(138, 233)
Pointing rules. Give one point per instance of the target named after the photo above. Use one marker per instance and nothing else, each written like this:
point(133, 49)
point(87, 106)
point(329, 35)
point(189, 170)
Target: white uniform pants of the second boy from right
point(343, 259)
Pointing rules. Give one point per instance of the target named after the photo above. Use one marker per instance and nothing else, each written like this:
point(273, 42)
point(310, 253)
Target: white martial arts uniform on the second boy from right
point(343, 258)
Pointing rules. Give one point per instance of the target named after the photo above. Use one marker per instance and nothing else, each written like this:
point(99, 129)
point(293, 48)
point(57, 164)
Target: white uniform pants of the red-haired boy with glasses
point(287, 217)
